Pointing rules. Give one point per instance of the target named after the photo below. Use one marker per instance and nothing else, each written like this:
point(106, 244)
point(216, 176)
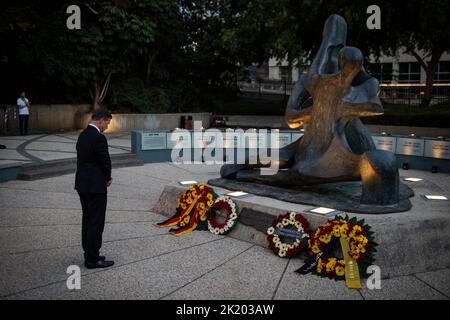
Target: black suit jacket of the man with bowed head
point(93, 162)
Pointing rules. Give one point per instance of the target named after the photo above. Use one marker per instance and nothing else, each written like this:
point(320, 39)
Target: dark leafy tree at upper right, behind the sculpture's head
point(292, 29)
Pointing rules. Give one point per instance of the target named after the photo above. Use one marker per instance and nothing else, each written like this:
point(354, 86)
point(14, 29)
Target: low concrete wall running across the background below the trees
point(73, 116)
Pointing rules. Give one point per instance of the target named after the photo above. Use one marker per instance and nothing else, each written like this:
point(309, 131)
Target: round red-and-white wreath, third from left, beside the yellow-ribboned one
point(289, 226)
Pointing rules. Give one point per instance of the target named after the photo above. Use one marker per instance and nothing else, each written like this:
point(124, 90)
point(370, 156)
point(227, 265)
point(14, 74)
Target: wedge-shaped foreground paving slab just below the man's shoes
point(150, 278)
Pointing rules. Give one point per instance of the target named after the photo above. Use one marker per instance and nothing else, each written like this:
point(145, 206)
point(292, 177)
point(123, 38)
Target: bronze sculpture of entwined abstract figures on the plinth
point(335, 146)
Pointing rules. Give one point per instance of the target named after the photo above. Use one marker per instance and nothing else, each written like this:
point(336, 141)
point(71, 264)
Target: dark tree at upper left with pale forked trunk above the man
point(112, 34)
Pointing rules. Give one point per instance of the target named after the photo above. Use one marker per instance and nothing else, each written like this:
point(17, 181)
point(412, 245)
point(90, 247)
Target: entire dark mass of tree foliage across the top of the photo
point(174, 55)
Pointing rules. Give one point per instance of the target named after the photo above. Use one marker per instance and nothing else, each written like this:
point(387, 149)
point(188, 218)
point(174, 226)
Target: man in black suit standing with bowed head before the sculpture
point(91, 181)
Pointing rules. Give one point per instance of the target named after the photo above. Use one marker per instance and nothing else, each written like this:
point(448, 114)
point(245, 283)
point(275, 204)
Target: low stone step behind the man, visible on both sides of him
point(54, 168)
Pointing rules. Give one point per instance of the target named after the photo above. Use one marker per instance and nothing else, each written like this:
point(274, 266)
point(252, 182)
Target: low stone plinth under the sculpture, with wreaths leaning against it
point(408, 242)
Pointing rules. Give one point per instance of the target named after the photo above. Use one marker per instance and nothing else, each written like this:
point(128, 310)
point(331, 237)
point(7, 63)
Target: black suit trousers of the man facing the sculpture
point(93, 223)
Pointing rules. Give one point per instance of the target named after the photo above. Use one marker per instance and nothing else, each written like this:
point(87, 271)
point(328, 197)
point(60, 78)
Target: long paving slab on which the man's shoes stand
point(20, 272)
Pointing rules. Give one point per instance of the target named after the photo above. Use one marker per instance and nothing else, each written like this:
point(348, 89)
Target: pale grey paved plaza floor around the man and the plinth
point(40, 223)
